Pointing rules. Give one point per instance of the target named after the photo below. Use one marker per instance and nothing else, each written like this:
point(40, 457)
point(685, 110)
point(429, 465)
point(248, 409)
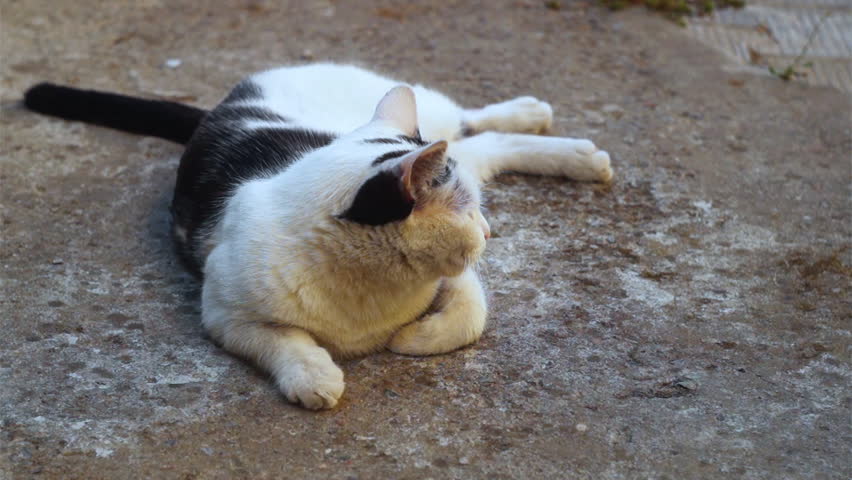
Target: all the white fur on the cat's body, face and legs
point(286, 284)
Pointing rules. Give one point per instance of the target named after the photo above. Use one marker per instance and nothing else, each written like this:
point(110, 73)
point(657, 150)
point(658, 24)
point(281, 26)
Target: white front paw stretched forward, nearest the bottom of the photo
point(313, 381)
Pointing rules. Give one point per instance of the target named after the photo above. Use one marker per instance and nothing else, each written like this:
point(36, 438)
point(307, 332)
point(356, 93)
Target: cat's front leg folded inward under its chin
point(458, 320)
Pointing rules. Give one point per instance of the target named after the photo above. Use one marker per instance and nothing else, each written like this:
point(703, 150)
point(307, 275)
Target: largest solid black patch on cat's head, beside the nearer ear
point(379, 201)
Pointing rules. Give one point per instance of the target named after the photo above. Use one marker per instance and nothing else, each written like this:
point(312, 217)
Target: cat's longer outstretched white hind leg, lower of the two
point(490, 153)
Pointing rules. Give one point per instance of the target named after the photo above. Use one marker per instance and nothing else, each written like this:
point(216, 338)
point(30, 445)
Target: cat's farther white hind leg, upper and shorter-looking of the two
point(519, 115)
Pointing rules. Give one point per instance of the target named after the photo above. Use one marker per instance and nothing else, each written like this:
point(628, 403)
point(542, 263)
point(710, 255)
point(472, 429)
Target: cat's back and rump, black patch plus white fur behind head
point(269, 121)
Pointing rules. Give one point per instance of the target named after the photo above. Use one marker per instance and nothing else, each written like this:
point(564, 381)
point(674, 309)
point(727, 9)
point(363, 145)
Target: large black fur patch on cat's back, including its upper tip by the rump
point(240, 141)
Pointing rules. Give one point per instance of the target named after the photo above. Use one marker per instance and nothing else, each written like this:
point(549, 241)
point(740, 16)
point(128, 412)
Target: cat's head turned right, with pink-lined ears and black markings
point(406, 201)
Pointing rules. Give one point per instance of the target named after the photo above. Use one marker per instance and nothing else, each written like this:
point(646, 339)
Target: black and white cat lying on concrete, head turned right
point(333, 212)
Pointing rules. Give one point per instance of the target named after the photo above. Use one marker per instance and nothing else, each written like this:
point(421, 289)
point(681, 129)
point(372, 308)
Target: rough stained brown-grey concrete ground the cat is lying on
point(691, 320)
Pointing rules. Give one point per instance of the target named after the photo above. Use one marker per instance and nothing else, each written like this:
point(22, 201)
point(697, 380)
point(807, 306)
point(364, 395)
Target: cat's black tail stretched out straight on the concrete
point(157, 118)
